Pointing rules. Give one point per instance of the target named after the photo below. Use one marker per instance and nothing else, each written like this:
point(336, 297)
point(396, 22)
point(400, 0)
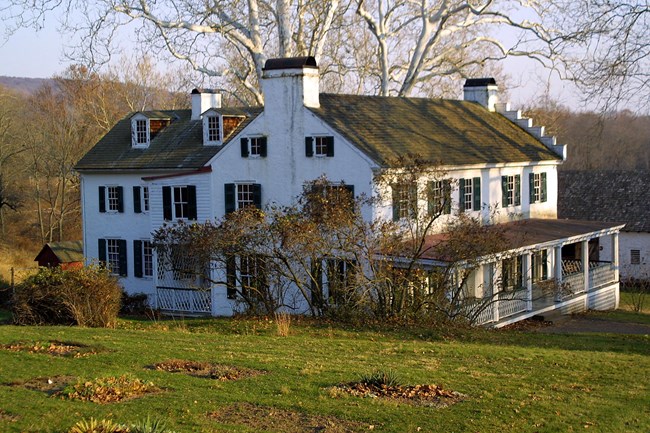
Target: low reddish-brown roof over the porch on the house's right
point(531, 234)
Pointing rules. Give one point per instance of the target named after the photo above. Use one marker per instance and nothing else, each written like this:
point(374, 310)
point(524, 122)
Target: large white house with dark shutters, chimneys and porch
point(157, 167)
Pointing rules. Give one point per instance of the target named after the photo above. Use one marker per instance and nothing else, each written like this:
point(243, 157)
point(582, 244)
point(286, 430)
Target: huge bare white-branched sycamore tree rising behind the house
point(383, 47)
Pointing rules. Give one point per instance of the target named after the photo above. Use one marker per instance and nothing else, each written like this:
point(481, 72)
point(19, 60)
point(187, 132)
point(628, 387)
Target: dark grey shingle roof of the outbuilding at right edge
point(603, 195)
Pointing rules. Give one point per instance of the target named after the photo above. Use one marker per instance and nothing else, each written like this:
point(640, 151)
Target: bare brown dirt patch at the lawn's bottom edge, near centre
point(264, 418)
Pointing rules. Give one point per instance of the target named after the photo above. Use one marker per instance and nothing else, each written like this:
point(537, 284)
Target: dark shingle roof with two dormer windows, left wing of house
point(178, 146)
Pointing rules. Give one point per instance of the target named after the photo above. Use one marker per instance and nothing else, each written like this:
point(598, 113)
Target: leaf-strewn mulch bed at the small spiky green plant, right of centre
point(420, 395)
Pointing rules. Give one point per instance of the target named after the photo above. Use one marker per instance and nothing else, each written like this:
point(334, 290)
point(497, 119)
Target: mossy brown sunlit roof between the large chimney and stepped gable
point(437, 130)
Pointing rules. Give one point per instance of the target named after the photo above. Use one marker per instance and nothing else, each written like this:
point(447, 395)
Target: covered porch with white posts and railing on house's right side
point(553, 266)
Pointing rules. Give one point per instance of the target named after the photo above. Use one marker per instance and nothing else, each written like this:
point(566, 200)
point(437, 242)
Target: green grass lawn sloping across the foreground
point(513, 381)
